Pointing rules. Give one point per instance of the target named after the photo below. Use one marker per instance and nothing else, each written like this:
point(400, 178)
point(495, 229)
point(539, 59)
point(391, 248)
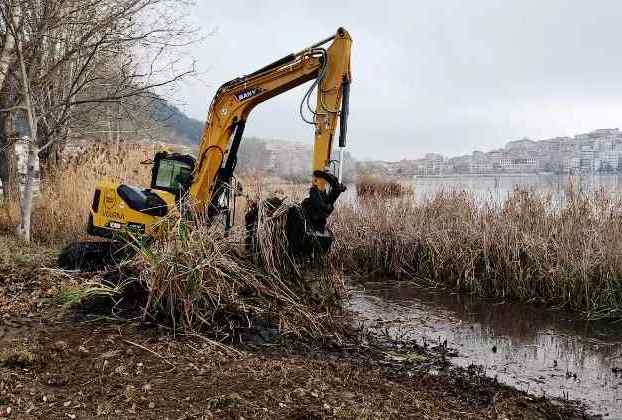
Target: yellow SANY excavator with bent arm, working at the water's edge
point(207, 182)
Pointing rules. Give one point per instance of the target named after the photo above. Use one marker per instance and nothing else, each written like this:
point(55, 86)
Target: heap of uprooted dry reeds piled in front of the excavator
point(196, 278)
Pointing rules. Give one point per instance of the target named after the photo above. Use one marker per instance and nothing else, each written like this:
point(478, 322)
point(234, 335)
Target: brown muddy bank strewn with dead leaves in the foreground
point(57, 363)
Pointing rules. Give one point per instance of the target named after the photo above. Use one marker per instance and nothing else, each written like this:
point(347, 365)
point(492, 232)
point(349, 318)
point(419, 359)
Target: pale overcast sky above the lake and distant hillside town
point(428, 76)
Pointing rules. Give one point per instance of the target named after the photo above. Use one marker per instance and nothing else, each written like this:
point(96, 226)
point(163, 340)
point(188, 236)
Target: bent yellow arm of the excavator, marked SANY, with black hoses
point(330, 70)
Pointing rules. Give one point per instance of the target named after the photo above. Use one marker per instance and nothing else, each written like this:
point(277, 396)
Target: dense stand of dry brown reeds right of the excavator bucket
point(531, 247)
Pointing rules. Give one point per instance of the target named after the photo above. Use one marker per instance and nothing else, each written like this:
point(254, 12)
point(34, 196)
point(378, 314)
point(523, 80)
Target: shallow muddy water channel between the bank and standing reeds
point(543, 352)
